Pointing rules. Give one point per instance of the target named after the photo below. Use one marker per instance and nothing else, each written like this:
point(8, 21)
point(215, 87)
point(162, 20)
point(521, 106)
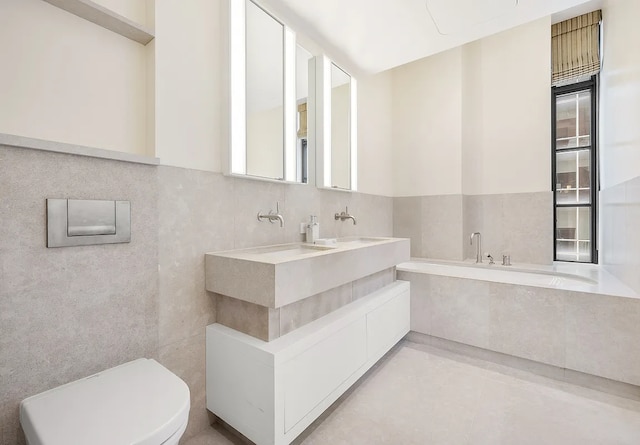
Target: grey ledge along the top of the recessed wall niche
point(106, 18)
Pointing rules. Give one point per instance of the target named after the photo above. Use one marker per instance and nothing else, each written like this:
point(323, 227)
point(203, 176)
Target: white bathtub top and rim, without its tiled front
point(566, 276)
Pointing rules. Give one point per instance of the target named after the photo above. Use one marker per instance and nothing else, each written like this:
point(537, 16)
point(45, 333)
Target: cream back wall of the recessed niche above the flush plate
point(68, 80)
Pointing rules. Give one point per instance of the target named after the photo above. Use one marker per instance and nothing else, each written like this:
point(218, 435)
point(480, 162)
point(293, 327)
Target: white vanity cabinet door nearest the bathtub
point(386, 325)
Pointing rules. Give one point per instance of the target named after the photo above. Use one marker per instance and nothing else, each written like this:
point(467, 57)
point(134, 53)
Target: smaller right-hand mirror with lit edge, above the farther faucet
point(337, 145)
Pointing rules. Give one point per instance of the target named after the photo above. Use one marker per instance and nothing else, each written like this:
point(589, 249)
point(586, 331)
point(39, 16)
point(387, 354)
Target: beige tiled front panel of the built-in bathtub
point(591, 333)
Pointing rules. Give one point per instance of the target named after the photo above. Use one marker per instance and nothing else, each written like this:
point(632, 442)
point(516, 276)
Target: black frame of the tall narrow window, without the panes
point(590, 85)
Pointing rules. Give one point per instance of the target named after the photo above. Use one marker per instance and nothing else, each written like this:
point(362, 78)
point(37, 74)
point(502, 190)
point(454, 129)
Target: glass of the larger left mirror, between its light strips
point(264, 94)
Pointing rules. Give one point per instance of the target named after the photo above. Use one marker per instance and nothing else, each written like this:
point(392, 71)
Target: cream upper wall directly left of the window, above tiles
point(507, 111)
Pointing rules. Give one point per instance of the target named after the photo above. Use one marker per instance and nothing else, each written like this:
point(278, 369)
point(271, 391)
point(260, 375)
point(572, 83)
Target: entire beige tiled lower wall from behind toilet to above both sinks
point(66, 313)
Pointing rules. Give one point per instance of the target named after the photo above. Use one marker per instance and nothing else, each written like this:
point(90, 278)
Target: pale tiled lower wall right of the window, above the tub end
point(620, 242)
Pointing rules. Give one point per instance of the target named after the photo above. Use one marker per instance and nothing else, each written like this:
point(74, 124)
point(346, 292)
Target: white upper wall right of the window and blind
point(620, 93)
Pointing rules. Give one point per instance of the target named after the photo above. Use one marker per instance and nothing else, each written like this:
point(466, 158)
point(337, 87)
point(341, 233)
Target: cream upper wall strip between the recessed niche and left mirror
point(188, 99)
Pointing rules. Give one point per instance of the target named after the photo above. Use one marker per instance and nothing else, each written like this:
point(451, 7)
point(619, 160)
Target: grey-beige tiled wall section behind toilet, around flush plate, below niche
point(66, 313)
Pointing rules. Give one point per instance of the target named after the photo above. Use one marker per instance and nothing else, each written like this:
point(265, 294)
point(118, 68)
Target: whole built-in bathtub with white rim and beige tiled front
point(574, 317)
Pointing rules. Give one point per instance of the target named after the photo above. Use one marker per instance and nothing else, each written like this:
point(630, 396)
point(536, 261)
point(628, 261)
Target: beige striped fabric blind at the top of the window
point(575, 48)
